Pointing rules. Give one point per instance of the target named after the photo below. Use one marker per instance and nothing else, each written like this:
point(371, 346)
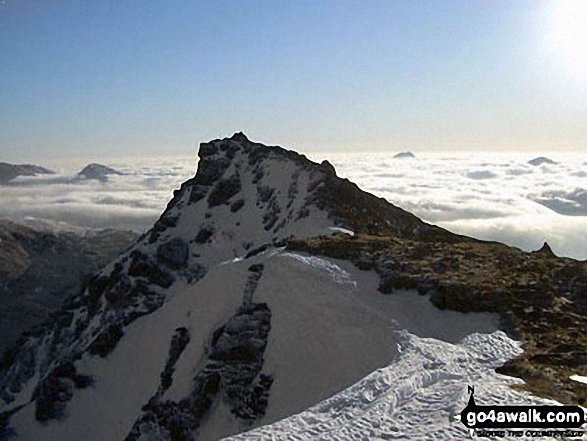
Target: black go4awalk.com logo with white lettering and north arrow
point(534, 421)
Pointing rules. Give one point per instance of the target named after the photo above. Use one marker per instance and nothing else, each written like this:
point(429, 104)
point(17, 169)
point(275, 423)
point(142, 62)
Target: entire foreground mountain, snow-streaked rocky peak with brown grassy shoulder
point(268, 285)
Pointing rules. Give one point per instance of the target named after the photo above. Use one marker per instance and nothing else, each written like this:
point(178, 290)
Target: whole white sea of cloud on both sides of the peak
point(493, 197)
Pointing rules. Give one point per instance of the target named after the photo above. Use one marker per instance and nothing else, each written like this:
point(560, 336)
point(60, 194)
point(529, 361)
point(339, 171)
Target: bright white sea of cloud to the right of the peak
point(497, 197)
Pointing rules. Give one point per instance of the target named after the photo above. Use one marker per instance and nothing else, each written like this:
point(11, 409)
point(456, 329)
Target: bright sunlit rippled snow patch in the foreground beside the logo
point(420, 396)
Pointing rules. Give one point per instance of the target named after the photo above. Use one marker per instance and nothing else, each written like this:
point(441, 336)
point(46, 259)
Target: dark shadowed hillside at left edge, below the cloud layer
point(39, 269)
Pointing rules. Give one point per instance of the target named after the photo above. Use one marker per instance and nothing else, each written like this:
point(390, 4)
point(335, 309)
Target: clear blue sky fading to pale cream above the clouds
point(128, 77)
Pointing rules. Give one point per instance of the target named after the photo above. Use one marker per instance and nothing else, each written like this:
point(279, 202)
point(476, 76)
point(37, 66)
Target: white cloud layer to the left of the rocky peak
point(131, 201)
